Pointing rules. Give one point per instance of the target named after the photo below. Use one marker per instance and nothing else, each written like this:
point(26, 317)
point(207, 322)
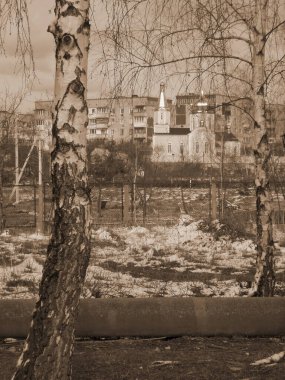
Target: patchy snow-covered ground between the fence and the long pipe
point(182, 260)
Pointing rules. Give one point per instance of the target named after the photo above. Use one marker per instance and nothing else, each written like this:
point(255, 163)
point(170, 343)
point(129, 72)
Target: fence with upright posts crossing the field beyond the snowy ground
point(147, 203)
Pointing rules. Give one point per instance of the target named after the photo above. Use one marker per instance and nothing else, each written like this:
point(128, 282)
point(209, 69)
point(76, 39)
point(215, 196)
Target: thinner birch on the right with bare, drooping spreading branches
point(233, 47)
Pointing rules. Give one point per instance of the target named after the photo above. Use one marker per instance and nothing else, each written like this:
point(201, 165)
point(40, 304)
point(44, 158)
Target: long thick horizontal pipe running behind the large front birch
point(160, 317)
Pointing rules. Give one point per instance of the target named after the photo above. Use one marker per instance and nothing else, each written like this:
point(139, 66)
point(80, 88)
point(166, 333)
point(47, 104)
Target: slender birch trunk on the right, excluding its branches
point(264, 280)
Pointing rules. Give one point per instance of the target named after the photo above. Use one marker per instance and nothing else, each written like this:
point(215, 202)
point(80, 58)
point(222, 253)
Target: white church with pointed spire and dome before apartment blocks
point(195, 140)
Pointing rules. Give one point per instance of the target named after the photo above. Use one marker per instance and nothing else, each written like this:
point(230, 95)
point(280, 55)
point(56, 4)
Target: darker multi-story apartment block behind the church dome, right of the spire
point(230, 116)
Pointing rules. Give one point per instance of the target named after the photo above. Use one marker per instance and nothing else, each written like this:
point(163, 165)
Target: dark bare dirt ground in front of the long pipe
point(180, 358)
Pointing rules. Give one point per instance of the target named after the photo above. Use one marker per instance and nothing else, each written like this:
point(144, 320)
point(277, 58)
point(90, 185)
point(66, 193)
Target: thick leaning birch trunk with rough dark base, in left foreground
point(49, 345)
